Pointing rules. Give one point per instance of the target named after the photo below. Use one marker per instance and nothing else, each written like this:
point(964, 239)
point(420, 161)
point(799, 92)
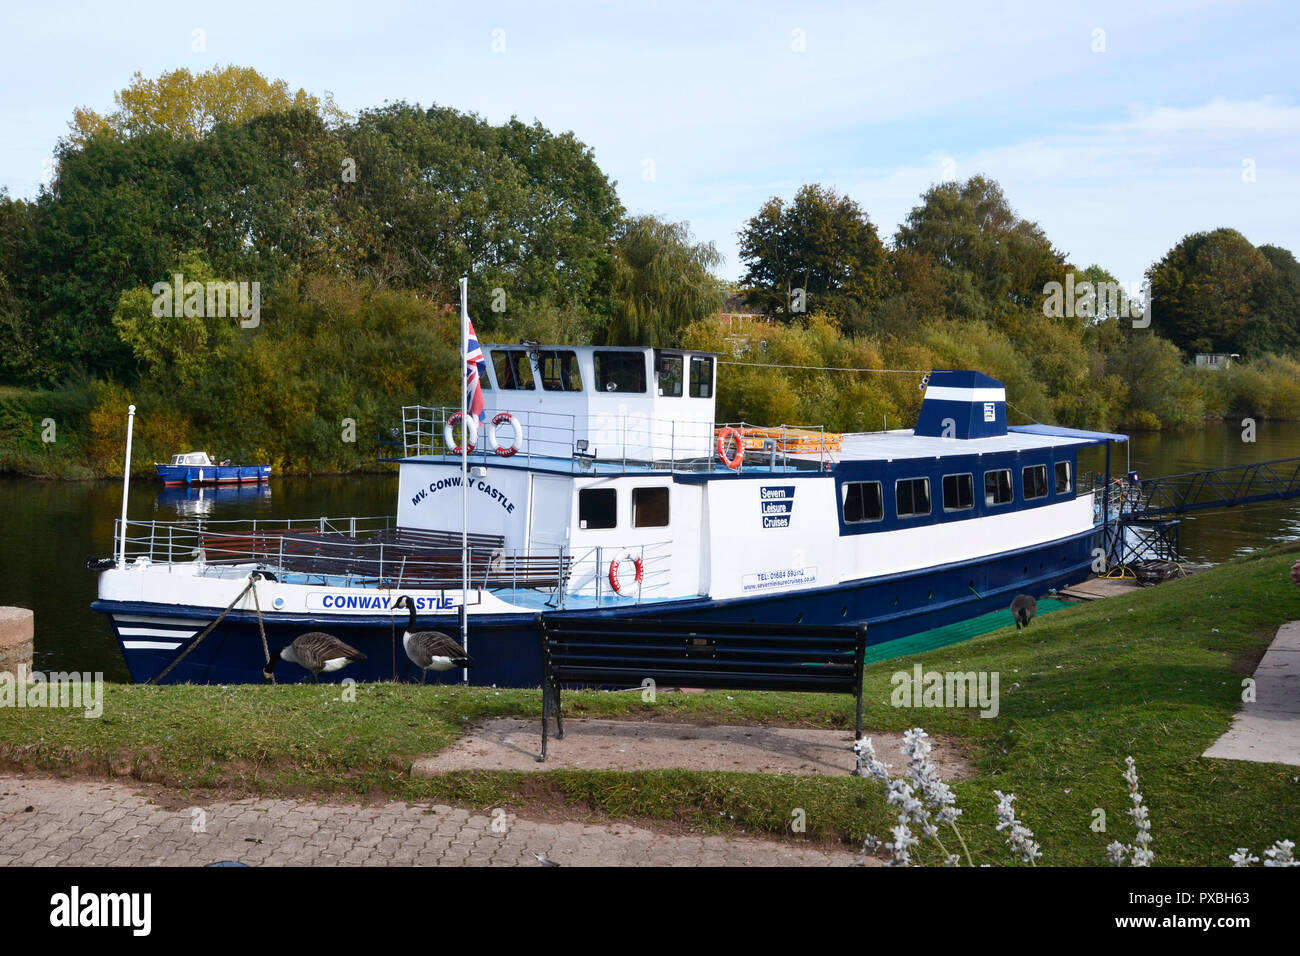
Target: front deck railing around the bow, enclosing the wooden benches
point(375, 553)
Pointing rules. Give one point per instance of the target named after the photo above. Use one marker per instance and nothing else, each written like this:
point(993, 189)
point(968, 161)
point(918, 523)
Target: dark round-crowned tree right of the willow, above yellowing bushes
point(820, 253)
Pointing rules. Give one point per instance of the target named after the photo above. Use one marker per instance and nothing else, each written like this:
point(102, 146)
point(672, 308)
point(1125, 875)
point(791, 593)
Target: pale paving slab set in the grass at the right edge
point(1268, 729)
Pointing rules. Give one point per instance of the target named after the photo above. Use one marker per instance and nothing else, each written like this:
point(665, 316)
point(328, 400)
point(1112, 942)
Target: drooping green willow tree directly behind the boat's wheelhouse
point(662, 283)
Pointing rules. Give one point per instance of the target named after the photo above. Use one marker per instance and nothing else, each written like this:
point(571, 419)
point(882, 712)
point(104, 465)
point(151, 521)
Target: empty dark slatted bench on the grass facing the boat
point(677, 654)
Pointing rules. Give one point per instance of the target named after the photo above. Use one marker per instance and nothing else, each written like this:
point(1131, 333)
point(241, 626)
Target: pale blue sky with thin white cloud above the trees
point(1188, 120)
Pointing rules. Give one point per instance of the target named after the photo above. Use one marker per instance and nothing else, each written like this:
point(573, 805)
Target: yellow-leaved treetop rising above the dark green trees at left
point(189, 107)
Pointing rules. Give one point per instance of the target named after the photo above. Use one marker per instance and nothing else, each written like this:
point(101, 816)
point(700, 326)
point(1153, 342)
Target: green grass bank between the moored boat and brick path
point(1156, 674)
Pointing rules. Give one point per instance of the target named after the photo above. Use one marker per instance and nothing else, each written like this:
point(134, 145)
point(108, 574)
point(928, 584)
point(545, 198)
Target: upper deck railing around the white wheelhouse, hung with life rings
point(616, 444)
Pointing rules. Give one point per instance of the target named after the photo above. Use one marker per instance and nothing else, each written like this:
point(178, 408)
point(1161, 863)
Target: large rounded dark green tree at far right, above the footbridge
point(1207, 292)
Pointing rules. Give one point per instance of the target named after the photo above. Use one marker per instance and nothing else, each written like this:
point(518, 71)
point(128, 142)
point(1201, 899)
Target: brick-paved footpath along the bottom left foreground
point(76, 823)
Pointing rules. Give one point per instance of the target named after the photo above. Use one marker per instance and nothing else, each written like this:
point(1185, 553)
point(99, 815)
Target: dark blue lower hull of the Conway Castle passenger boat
point(506, 646)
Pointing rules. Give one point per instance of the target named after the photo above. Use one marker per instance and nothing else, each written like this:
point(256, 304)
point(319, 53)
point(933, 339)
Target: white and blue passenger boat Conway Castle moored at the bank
point(603, 488)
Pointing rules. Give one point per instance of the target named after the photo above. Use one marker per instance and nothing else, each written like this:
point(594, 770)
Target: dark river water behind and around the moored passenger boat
point(49, 529)
